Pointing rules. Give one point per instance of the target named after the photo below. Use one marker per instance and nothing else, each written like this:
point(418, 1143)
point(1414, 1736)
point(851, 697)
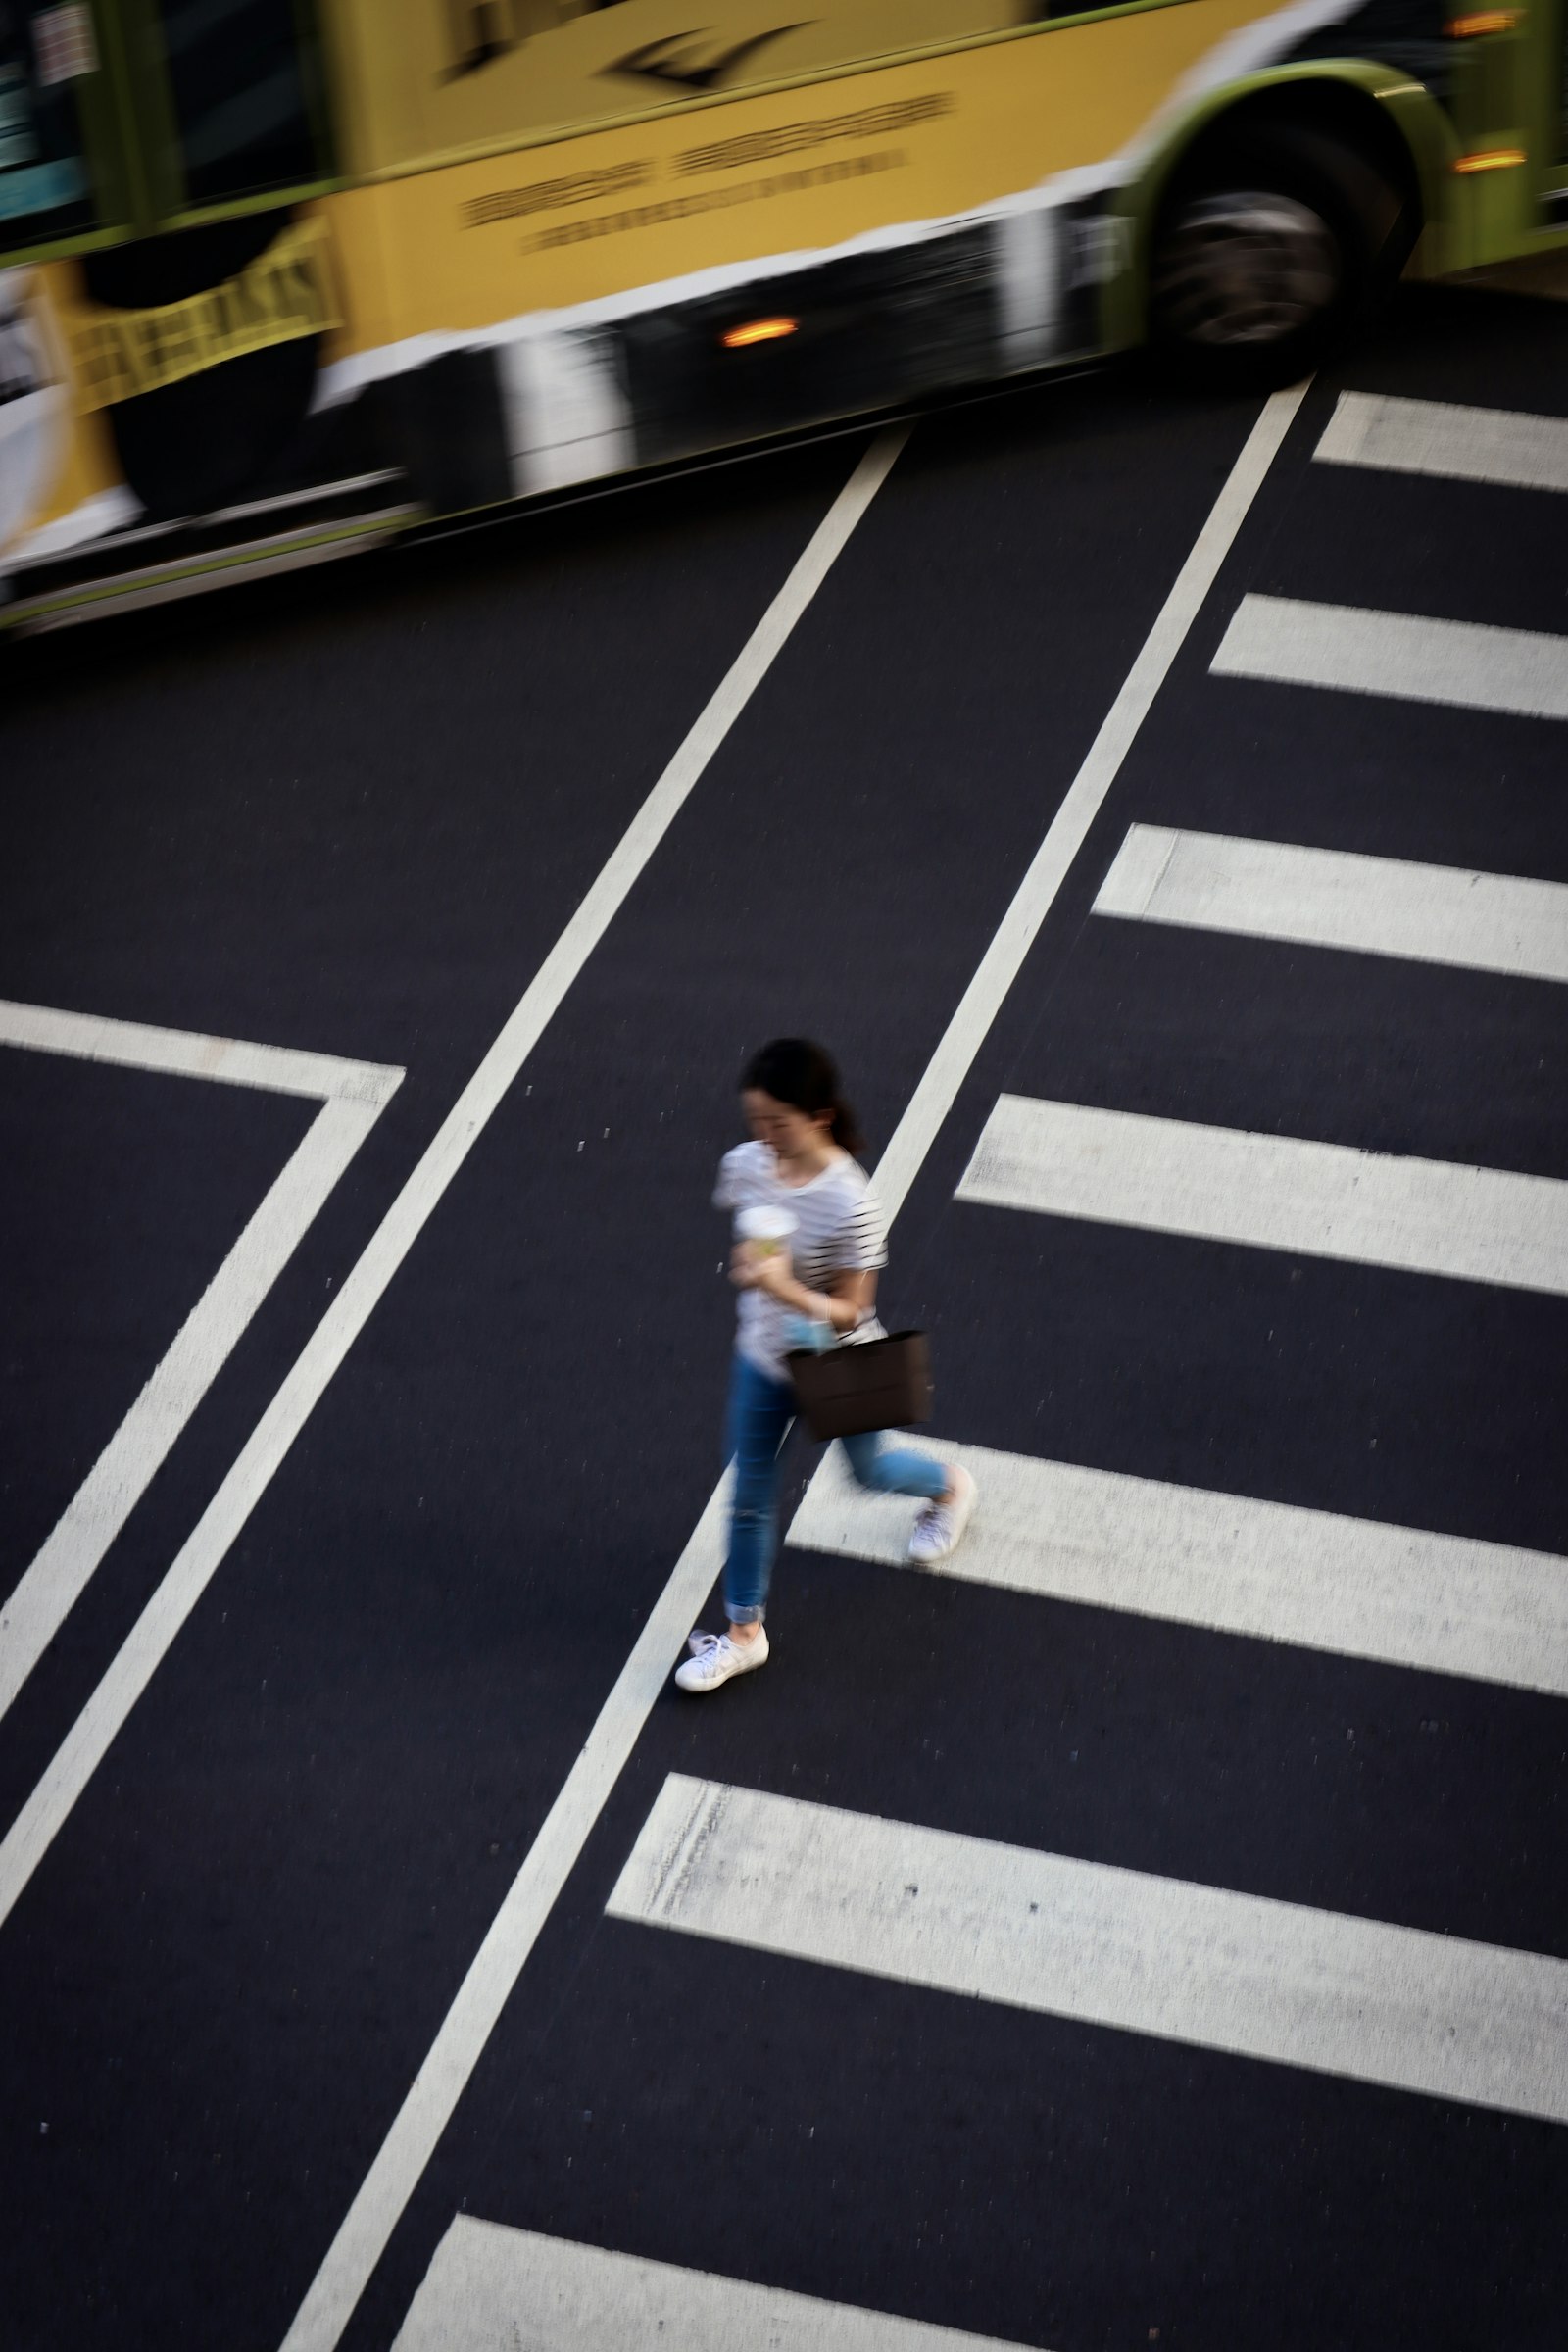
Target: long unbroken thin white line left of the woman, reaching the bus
point(281, 1424)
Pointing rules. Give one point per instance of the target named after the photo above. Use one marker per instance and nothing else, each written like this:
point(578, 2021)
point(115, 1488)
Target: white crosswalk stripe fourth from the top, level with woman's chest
point(1315, 1201)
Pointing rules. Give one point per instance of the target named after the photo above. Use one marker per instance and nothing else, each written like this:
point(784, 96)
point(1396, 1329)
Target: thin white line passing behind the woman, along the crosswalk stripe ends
point(549, 1864)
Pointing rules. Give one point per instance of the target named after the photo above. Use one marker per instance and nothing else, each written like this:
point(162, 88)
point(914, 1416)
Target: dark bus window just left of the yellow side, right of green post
point(241, 79)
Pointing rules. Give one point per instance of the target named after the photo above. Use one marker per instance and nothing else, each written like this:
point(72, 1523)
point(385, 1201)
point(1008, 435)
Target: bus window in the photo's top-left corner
point(46, 185)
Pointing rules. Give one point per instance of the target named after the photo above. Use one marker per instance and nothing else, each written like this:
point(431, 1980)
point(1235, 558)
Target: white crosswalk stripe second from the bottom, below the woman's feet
point(1125, 1949)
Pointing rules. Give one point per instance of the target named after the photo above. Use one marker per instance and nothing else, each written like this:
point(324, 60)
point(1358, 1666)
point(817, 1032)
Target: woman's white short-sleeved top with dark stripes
point(840, 1231)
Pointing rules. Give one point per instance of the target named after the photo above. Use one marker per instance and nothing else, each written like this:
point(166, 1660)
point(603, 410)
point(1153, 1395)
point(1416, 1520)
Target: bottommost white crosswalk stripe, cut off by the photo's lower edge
point(495, 2290)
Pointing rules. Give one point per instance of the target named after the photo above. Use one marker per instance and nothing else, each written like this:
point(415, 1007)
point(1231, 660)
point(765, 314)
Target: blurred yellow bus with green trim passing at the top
point(281, 279)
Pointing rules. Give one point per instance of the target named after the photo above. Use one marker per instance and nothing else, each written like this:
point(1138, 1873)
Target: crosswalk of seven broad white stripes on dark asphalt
point(1289, 1986)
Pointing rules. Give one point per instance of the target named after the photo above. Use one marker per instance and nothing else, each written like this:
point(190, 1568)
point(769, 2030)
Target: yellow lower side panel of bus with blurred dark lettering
point(793, 173)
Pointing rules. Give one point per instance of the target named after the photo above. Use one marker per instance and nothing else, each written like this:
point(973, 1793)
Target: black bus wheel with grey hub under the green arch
point(1271, 250)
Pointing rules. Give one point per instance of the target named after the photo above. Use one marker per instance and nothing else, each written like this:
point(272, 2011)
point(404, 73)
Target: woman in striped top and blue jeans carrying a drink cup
point(800, 1165)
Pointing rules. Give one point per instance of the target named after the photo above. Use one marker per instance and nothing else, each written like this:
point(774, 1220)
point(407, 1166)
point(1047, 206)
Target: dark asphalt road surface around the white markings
point(349, 817)
